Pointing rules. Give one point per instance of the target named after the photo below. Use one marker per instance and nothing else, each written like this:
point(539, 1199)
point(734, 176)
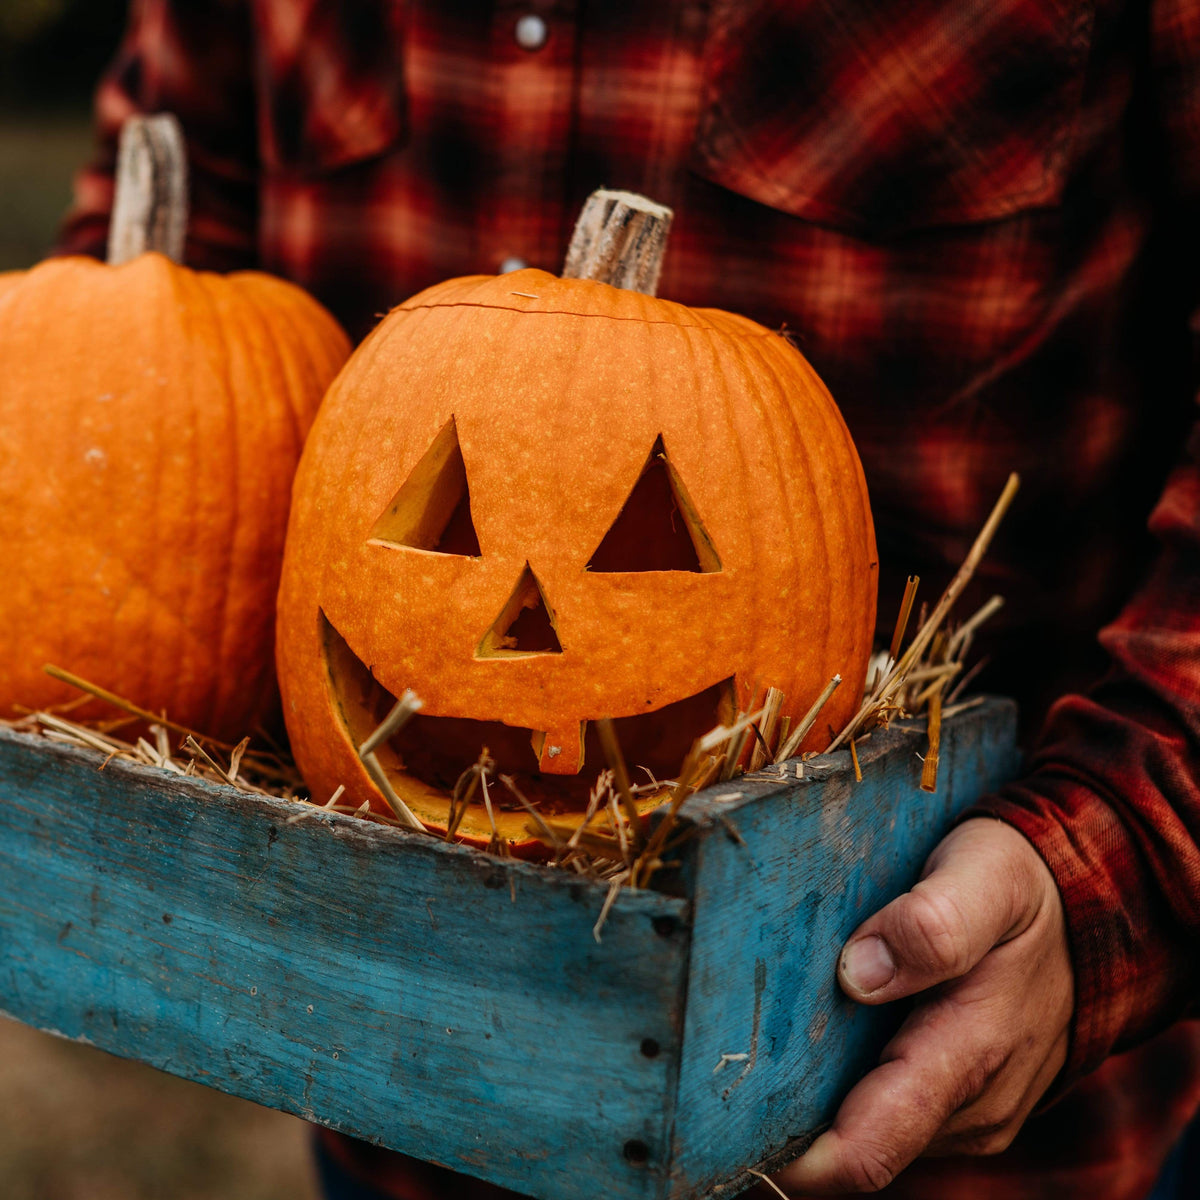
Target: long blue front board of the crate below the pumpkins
point(445, 1004)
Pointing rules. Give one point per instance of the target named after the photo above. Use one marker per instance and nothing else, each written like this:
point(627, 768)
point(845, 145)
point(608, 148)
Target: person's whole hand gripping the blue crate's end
point(985, 931)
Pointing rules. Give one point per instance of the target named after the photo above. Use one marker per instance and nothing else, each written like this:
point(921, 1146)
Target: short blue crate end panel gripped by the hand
point(783, 879)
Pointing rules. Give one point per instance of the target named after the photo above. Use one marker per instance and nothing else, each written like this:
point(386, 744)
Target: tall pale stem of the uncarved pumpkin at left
point(151, 207)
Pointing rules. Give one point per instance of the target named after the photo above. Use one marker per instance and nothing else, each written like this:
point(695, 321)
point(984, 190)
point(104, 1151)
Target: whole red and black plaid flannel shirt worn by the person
point(980, 220)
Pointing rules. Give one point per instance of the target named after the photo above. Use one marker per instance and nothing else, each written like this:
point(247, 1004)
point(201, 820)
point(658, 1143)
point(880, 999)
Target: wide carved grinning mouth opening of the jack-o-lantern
point(428, 757)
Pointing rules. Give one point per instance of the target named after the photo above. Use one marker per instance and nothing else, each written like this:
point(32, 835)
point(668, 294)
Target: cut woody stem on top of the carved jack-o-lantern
point(621, 239)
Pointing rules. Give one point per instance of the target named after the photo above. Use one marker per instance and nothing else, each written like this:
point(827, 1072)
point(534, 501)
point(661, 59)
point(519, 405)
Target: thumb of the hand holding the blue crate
point(980, 890)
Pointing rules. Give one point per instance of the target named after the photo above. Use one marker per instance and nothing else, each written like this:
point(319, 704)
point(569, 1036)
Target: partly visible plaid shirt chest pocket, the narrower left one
point(332, 82)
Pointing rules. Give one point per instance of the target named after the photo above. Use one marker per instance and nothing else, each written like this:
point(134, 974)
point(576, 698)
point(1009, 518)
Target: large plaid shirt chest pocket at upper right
point(883, 117)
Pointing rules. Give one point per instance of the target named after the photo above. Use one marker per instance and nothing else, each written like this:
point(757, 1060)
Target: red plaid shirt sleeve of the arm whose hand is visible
point(1113, 801)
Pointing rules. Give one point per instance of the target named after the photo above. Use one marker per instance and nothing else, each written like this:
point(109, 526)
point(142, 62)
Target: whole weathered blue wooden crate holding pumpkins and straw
point(457, 1006)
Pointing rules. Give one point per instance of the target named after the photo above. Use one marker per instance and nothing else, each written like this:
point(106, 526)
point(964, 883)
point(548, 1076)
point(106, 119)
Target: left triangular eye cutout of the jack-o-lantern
point(433, 509)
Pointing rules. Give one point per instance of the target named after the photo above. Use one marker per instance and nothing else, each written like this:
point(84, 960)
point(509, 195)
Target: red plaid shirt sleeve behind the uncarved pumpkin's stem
point(193, 58)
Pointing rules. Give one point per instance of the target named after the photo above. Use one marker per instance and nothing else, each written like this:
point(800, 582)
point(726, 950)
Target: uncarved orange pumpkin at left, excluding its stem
point(152, 422)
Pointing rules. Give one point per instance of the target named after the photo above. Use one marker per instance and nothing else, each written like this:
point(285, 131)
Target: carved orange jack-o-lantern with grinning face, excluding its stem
point(537, 502)
